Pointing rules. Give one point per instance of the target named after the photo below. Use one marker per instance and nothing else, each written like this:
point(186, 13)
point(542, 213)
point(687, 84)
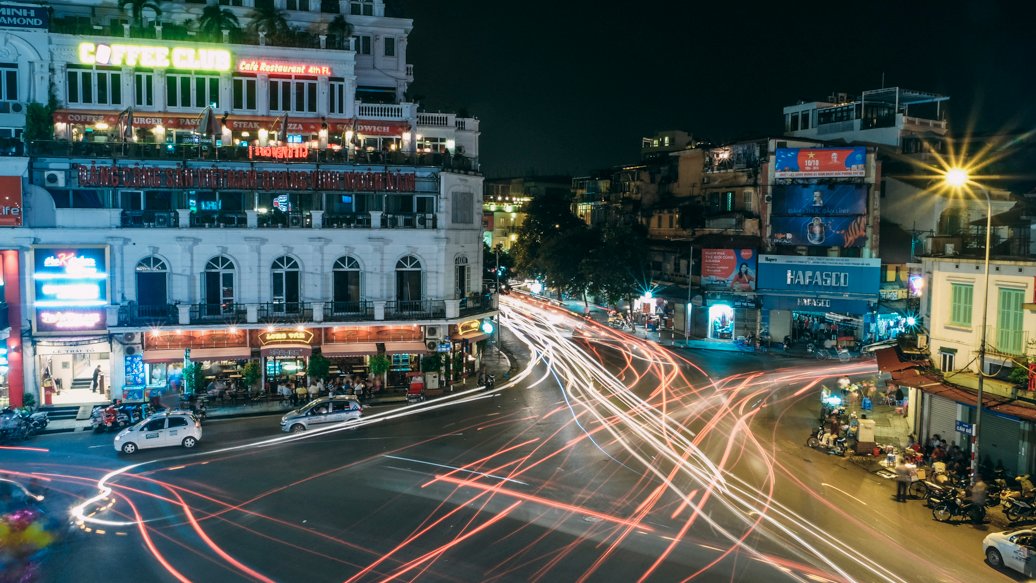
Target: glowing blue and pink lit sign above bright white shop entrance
point(70, 288)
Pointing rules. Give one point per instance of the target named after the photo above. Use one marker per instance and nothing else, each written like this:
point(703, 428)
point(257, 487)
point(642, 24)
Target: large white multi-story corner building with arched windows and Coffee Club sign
point(222, 196)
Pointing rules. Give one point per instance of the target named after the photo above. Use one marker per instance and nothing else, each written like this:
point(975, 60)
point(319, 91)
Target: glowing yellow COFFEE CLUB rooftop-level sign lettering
point(155, 57)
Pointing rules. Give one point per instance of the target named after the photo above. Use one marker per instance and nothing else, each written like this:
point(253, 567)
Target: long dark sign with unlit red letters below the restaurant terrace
point(138, 177)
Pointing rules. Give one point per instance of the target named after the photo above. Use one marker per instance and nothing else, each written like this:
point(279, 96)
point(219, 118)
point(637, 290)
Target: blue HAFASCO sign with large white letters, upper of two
point(811, 275)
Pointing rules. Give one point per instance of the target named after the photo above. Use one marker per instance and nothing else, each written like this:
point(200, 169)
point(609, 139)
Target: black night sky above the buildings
point(570, 86)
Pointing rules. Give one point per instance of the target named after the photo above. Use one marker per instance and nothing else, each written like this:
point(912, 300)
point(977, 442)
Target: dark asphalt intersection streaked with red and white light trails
point(607, 459)
